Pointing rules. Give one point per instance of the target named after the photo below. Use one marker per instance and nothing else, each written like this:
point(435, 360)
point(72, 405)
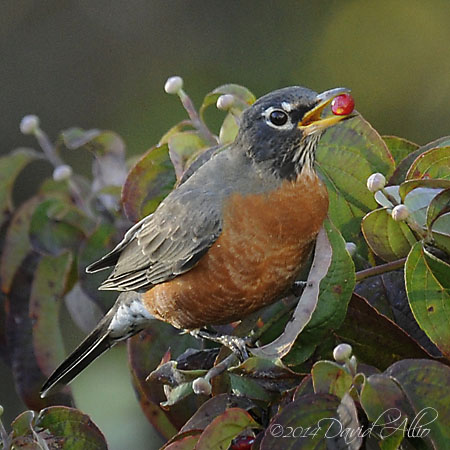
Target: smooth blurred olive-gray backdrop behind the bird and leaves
point(103, 64)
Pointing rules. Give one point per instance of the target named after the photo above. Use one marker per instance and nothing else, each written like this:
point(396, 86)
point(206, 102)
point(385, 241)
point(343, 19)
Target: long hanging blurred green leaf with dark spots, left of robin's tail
point(49, 283)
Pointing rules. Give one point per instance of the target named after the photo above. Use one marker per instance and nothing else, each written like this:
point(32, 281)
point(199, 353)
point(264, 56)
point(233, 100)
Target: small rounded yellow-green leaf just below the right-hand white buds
point(389, 239)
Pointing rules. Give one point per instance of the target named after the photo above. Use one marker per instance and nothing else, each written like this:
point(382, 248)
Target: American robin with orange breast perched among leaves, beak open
point(230, 239)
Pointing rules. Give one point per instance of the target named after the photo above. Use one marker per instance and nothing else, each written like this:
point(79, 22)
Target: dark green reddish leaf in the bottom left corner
point(69, 429)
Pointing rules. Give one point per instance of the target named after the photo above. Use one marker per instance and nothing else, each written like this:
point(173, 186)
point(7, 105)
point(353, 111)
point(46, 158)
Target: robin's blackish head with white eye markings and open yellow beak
point(283, 128)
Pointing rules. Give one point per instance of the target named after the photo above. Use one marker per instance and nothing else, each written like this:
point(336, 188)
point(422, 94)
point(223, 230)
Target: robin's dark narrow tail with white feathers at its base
point(126, 318)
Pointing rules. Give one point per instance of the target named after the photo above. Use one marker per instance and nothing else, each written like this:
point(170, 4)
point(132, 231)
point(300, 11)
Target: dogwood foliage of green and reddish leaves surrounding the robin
point(205, 398)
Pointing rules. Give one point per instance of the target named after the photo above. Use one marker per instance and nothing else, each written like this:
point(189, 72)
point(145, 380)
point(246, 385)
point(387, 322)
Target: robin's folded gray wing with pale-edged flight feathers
point(165, 244)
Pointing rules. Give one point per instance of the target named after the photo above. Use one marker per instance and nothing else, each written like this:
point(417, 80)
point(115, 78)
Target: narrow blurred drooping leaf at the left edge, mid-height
point(17, 244)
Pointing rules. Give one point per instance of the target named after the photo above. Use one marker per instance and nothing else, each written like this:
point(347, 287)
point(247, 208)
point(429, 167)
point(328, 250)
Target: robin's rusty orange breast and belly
point(265, 240)
